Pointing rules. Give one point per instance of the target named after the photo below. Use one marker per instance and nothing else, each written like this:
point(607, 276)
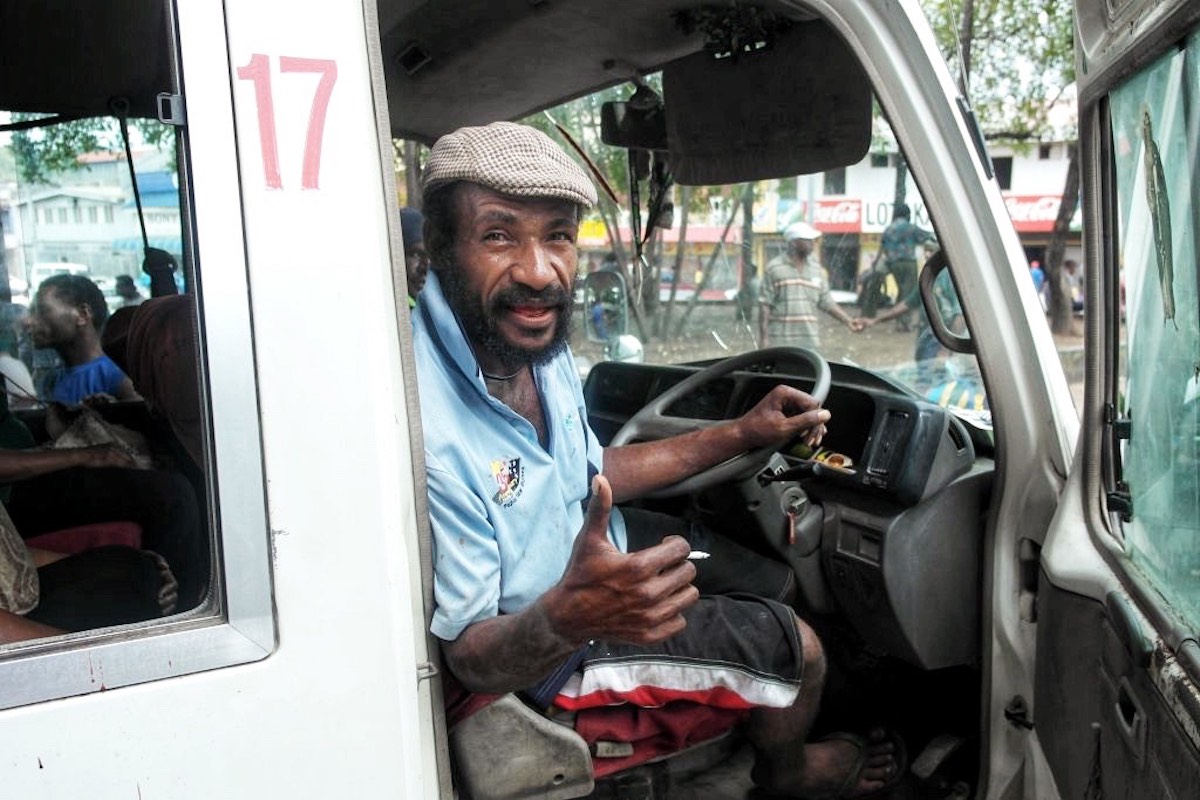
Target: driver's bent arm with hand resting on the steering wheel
point(638, 470)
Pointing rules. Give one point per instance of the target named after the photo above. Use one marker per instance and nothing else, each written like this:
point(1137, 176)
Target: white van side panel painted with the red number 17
point(331, 697)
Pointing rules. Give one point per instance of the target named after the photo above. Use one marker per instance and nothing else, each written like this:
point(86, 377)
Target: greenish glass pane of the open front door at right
point(1156, 135)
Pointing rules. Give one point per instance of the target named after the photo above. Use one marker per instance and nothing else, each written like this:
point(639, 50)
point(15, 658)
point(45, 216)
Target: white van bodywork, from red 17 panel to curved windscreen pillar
point(310, 672)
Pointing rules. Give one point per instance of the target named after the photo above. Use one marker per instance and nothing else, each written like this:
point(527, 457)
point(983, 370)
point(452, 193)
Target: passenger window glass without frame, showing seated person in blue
point(152, 504)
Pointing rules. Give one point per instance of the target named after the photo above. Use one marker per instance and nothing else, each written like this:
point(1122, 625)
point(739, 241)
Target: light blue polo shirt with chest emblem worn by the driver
point(505, 510)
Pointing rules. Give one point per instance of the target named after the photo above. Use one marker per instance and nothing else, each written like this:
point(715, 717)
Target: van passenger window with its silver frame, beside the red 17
point(123, 536)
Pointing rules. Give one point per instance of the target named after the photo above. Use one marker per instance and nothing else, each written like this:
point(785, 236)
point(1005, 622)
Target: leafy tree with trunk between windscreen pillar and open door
point(1016, 59)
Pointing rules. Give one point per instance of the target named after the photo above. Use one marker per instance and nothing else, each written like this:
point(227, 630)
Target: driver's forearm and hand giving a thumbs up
point(604, 593)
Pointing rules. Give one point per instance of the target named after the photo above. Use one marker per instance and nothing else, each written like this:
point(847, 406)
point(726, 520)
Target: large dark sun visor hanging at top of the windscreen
point(801, 106)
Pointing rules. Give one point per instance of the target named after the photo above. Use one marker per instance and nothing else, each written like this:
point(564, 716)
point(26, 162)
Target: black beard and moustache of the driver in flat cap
point(481, 322)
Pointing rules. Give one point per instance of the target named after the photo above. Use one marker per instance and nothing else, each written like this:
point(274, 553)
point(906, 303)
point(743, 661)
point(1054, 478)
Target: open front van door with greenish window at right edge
point(1117, 706)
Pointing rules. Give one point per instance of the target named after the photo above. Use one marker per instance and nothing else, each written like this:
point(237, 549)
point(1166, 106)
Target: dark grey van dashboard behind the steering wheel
point(891, 545)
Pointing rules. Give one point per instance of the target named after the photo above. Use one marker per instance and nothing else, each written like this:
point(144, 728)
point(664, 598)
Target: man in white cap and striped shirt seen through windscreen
point(794, 290)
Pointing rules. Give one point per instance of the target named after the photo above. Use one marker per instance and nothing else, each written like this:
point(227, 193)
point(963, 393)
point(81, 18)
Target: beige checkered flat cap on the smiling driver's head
point(509, 159)
